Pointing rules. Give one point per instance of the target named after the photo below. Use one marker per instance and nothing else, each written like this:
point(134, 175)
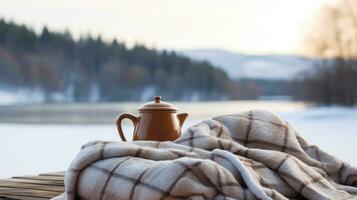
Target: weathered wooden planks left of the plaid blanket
point(43, 186)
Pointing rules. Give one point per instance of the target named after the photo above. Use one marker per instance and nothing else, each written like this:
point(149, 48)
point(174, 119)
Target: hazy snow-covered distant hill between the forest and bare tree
point(238, 65)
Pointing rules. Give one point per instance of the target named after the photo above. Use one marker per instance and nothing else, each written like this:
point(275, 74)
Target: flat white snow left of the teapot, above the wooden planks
point(32, 149)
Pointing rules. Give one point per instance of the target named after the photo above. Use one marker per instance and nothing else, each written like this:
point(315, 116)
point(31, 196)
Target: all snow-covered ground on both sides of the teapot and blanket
point(31, 149)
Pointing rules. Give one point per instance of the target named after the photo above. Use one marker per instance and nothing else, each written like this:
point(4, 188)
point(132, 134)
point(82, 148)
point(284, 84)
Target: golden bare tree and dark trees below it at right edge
point(333, 37)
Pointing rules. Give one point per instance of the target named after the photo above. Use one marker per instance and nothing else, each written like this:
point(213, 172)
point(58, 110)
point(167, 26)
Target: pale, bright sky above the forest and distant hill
point(246, 26)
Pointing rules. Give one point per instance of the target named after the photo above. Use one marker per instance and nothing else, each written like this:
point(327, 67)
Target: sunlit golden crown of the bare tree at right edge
point(334, 31)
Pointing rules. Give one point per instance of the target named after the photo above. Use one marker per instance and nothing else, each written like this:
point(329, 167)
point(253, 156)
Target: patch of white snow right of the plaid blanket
point(332, 129)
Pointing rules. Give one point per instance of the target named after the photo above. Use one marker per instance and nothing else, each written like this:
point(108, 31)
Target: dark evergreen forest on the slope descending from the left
point(90, 69)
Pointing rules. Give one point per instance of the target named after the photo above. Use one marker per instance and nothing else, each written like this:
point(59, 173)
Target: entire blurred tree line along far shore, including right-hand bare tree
point(91, 69)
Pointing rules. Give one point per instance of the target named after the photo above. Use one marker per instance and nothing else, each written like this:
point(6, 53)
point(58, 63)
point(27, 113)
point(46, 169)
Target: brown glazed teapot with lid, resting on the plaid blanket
point(158, 121)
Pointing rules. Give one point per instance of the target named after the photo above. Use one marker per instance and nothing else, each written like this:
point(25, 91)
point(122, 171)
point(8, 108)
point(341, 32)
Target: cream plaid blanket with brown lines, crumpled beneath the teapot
point(250, 155)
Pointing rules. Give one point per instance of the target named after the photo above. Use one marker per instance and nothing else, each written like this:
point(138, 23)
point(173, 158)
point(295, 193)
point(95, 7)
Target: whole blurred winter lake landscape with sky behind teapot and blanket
point(67, 70)
